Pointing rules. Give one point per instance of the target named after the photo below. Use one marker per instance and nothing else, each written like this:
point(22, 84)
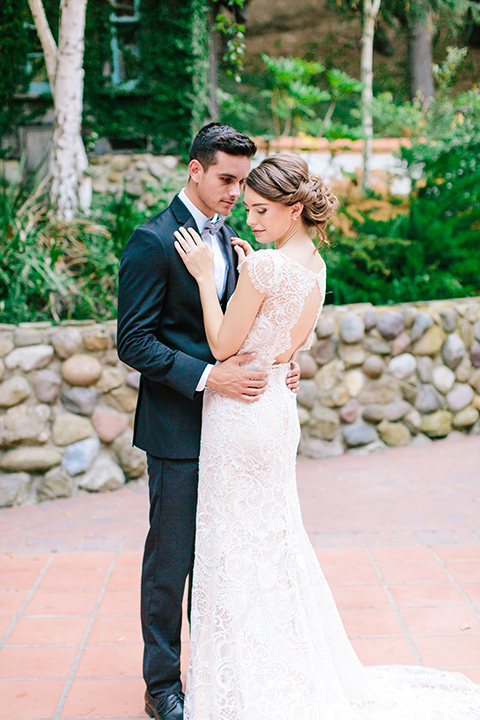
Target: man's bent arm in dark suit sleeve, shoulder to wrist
point(142, 285)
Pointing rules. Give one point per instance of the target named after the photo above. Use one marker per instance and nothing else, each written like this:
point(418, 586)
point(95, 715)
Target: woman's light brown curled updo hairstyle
point(285, 179)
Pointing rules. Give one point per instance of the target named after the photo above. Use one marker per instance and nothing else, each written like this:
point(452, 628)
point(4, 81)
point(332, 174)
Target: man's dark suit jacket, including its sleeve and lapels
point(161, 333)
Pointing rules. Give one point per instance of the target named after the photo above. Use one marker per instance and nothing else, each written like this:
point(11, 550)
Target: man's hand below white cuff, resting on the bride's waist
point(231, 379)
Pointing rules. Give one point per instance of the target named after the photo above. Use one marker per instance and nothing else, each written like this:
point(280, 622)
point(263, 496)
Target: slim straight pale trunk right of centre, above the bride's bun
point(370, 12)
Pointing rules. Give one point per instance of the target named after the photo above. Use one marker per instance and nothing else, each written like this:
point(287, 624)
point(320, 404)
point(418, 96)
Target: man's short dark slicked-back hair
point(216, 137)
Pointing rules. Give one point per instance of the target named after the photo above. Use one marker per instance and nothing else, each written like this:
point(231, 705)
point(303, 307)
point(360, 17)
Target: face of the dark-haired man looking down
point(219, 186)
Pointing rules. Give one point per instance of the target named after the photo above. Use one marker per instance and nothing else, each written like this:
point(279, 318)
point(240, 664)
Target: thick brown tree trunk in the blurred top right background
point(420, 33)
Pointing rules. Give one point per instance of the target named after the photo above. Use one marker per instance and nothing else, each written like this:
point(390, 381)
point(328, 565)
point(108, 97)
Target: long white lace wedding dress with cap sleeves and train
point(267, 641)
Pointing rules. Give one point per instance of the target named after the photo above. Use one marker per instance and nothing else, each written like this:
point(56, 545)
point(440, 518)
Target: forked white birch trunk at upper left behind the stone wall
point(68, 161)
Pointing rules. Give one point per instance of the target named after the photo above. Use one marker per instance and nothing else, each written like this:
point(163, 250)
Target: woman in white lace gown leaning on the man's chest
point(267, 641)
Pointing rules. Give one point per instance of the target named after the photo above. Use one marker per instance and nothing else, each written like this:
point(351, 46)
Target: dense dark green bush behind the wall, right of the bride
point(430, 252)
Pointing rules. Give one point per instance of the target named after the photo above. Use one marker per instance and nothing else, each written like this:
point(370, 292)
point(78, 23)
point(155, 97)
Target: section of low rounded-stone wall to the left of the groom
point(66, 412)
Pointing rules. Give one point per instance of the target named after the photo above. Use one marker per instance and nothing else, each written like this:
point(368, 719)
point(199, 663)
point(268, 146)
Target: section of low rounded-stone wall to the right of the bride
point(390, 376)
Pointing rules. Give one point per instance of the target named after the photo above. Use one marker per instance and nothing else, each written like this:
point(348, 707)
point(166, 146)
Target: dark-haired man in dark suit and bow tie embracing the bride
point(161, 334)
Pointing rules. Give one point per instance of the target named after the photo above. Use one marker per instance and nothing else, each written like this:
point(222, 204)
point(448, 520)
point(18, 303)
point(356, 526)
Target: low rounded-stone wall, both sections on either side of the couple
point(374, 377)
